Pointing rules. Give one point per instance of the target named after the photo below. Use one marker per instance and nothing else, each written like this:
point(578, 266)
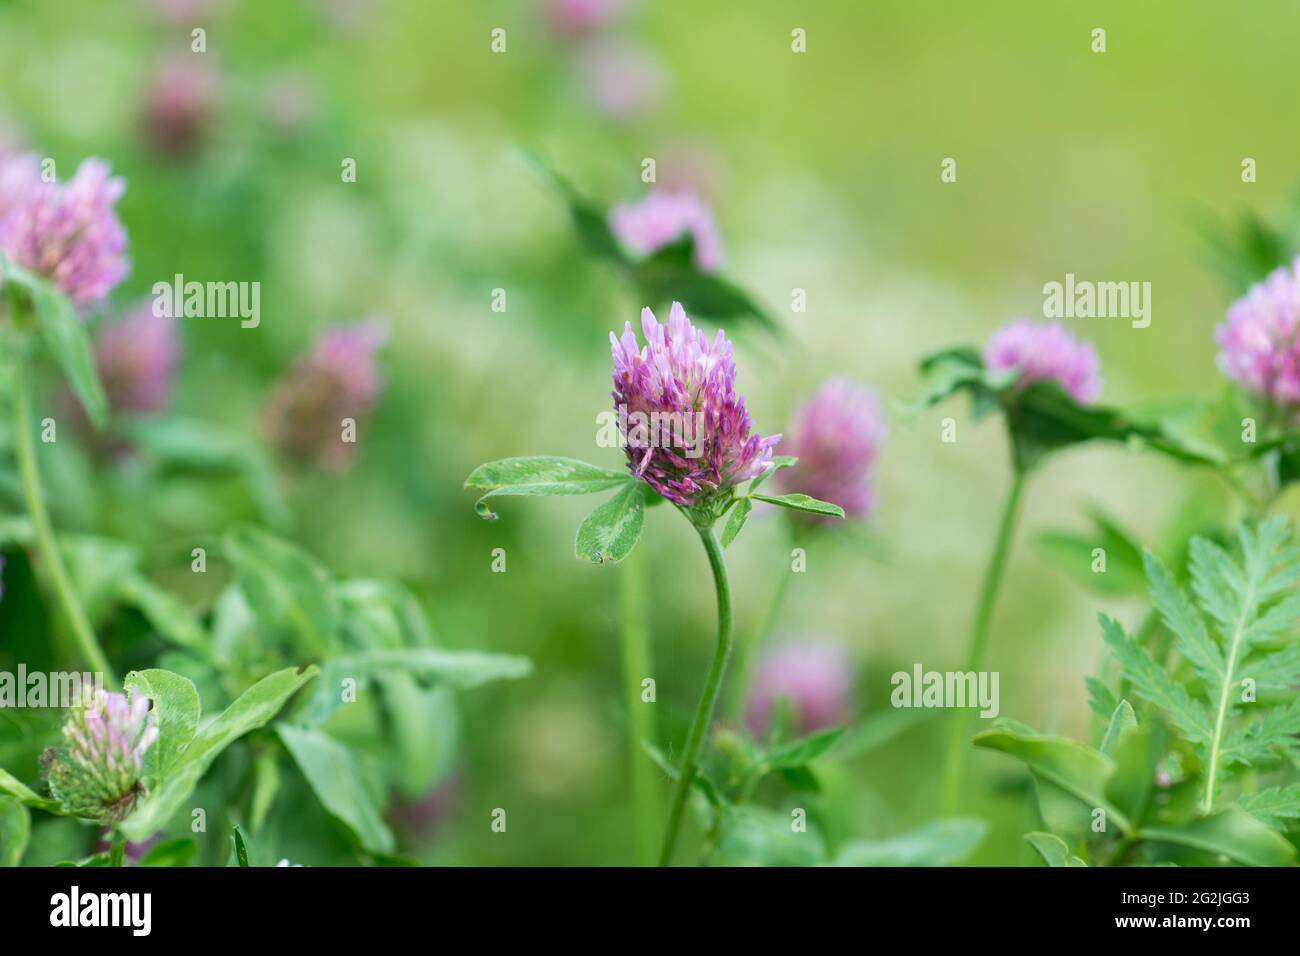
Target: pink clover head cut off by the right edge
point(1260, 341)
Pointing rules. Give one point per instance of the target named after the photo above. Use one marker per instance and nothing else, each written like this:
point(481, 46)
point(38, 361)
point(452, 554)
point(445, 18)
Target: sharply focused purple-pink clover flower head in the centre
point(686, 430)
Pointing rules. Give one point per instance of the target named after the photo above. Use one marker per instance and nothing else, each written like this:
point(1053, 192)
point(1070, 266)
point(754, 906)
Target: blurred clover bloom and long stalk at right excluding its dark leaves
point(1041, 352)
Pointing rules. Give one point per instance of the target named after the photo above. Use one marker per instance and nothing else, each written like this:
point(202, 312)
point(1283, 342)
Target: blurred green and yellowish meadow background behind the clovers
point(825, 174)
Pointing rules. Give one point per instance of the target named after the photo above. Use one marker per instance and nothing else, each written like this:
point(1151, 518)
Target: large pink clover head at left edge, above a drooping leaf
point(70, 232)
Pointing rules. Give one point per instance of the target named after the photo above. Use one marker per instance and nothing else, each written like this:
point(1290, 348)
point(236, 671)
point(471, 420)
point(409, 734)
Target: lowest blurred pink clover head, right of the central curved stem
point(813, 676)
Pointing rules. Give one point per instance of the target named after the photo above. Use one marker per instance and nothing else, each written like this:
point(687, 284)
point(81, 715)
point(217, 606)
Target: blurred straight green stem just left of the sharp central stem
point(636, 668)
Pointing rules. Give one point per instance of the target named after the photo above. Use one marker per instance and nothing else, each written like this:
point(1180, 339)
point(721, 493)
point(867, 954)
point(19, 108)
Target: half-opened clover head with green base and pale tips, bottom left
point(98, 773)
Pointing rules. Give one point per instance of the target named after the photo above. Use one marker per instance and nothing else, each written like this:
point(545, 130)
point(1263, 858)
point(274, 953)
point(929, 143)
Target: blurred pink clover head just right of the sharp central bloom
point(838, 435)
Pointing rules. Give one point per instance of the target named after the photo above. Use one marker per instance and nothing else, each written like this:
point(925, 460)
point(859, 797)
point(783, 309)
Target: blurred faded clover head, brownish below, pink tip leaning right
point(339, 380)
